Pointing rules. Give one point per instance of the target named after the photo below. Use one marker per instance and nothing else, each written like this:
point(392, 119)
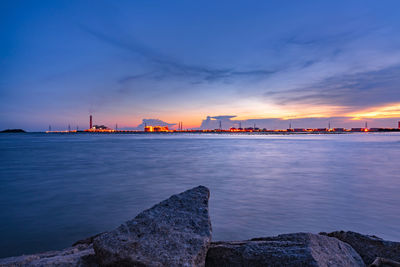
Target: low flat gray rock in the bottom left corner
point(80, 255)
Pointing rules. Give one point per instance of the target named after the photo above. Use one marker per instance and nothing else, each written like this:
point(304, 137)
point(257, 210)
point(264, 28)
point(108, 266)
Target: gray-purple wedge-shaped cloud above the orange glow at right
point(354, 90)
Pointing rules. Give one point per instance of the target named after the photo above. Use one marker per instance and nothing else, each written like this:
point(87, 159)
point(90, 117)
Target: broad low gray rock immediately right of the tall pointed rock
point(299, 249)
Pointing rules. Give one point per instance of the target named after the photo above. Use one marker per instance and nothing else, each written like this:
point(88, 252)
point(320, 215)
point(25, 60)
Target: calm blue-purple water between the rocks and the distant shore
point(56, 189)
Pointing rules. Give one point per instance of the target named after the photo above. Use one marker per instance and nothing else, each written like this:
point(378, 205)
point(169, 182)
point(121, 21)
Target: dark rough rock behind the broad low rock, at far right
point(369, 247)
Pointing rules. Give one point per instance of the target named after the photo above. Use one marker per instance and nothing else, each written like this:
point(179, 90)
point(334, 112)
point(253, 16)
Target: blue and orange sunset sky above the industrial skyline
point(124, 61)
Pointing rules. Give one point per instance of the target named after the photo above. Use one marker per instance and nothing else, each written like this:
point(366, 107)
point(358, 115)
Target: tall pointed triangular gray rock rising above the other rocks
point(175, 232)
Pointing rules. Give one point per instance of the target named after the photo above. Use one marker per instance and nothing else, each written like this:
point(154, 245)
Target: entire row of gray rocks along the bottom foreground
point(177, 232)
